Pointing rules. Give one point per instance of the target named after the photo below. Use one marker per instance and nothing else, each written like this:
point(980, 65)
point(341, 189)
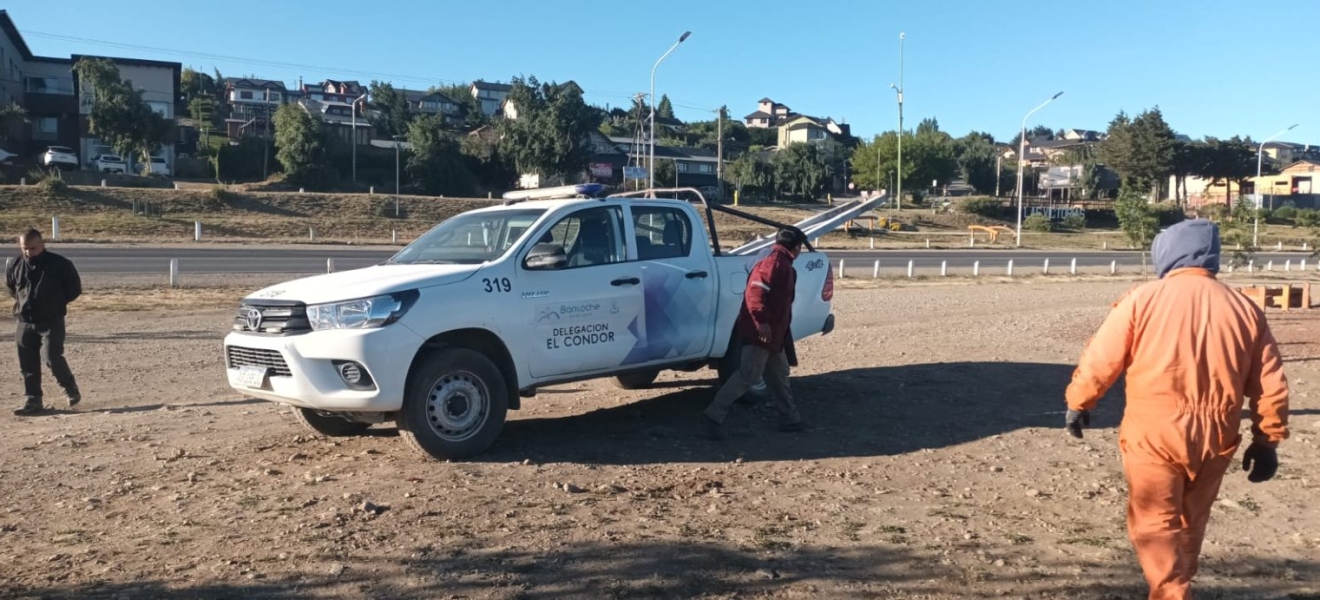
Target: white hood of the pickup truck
point(365, 283)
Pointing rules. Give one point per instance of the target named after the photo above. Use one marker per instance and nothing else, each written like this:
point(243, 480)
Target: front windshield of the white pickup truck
point(472, 238)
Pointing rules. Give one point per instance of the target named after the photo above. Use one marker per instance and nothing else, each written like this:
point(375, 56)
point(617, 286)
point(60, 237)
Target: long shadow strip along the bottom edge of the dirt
point(667, 570)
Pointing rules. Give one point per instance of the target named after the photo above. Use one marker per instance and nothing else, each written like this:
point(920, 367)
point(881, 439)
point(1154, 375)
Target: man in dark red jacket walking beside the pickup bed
point(764, 328)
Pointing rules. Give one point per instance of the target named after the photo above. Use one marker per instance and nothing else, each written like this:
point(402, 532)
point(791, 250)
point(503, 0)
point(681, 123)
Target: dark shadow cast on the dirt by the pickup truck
point(872, 412)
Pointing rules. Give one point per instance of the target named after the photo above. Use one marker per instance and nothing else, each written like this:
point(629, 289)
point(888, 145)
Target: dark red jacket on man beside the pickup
point(769, 300)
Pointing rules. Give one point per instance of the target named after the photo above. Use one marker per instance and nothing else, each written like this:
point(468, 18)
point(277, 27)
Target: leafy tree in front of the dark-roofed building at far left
point(119, 117)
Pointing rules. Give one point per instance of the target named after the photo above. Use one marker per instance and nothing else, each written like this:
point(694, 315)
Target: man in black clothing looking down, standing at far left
point(42, 284)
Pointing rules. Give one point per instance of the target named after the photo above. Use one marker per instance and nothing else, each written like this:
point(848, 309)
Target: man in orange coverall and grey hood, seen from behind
point(1194, 349)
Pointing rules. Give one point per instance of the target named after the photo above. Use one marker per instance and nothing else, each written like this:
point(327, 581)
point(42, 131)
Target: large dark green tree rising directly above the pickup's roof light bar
point(552, 133)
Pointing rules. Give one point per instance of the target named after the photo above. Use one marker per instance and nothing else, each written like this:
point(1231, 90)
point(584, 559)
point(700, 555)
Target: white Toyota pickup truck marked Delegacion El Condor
point(493, 304)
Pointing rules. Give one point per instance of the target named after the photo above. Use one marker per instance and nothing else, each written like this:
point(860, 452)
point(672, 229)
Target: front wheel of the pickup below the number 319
point(455, 405)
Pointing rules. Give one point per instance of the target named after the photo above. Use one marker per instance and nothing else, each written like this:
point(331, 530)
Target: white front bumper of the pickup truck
point(307, 370)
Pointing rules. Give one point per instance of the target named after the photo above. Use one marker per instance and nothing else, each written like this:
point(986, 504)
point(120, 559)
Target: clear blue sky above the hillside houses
point(1215, 68)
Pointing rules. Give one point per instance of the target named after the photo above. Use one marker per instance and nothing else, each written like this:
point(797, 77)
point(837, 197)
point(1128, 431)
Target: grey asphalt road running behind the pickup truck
point(258, 260)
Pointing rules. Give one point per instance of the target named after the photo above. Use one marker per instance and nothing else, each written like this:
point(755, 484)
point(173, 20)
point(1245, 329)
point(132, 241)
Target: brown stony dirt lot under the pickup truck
point(935, 467)
